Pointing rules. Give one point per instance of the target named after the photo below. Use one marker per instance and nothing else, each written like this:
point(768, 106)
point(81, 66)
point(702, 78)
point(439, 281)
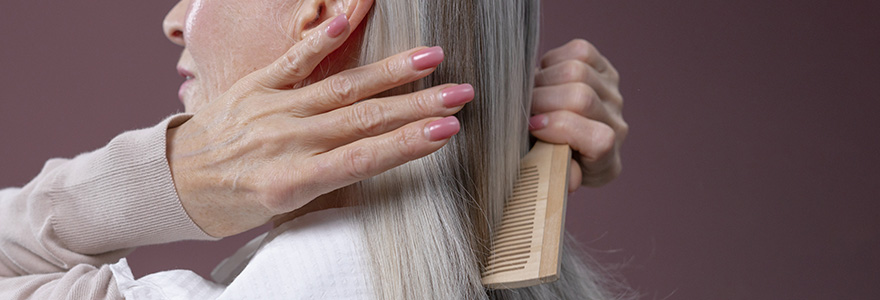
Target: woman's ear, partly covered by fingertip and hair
point(312, 13)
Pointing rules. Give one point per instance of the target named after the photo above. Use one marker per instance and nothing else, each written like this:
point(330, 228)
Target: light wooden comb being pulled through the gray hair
point(528, 240)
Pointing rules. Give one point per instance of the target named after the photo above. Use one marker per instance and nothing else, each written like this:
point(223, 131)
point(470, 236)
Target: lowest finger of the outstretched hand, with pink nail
point(369, 157)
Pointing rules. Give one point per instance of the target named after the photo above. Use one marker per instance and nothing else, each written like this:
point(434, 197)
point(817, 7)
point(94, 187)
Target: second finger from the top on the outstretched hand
point(353, 85)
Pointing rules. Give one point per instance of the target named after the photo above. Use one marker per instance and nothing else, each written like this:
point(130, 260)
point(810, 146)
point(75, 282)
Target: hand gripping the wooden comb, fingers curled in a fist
point(577, 102)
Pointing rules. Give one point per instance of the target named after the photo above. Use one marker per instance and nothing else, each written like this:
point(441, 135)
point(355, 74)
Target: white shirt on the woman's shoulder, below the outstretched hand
point(317, 256)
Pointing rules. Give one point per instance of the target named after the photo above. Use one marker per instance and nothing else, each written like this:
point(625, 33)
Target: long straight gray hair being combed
point(428, 223)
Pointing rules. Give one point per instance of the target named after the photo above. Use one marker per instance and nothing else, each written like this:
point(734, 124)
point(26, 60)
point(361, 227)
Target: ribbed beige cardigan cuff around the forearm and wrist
point(120, 196)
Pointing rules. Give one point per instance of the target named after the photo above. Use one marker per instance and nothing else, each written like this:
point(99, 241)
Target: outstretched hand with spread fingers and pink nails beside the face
point(263, 149)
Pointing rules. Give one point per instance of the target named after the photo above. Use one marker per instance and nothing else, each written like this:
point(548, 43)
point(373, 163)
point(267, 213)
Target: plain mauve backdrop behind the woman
point(750, 171)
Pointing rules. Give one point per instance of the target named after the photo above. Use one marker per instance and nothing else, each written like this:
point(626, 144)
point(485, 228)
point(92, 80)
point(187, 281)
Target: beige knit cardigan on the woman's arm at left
point(59, 232)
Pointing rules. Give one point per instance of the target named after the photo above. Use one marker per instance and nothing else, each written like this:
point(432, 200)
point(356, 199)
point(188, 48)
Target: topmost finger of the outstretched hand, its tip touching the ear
point(299, 62)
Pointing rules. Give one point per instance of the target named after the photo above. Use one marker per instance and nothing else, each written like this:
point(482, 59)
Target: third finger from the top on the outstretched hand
point(378, 116)
